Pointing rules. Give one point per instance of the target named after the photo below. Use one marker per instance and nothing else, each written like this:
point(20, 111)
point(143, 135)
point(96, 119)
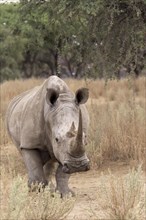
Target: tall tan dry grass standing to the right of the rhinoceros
point(118, 123)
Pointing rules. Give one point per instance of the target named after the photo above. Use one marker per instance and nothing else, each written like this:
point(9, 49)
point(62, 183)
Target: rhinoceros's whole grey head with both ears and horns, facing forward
point(65, 124)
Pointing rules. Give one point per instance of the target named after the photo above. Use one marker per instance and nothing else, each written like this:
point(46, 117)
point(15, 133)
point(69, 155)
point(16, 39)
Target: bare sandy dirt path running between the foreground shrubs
point(85, 186)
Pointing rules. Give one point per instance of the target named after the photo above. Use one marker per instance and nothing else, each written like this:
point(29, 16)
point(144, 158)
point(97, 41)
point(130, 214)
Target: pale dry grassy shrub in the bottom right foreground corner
point(121, 198)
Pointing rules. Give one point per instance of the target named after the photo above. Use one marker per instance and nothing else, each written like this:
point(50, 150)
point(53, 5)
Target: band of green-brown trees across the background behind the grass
point(72, 38)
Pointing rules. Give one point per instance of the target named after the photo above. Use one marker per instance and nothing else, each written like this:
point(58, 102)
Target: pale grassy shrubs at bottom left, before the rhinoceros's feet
point(19, 204)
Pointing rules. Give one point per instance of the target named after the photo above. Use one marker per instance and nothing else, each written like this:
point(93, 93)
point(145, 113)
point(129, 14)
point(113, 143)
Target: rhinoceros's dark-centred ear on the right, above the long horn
point(82, 95)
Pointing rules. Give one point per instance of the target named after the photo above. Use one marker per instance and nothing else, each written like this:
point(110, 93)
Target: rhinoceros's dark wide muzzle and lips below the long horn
point(70, 167)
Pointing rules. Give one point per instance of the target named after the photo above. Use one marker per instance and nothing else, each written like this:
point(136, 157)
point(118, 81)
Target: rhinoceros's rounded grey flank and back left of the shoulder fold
point(23, 117)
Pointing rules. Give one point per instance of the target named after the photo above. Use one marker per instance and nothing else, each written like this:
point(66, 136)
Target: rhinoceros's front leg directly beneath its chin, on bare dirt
point(62, 182)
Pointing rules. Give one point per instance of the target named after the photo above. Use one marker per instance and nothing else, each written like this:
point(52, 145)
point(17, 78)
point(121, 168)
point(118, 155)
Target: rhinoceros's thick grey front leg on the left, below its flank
point(34, 167)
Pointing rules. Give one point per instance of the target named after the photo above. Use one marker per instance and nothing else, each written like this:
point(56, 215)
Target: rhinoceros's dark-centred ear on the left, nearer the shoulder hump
point(51, 96)
